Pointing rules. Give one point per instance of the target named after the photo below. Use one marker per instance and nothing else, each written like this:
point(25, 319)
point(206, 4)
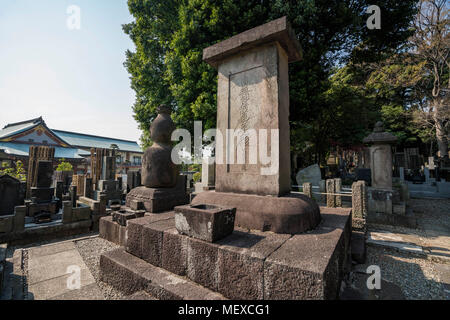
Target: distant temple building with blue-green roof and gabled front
point(16, 139)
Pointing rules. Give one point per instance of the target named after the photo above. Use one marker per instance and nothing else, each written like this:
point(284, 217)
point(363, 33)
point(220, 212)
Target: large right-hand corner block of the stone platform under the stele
point(310, 266)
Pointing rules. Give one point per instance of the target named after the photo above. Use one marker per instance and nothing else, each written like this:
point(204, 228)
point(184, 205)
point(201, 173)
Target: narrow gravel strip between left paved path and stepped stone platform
point(90, 250)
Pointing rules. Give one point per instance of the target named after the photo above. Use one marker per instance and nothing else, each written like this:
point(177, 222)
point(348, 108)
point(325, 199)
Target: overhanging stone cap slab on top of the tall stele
point(276, 30)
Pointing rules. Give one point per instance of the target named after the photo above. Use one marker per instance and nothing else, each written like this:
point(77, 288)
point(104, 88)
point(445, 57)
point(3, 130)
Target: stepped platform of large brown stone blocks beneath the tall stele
point(245, 265)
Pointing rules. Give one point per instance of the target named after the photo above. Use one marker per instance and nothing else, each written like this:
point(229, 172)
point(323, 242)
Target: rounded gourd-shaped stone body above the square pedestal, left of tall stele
point(158, 170)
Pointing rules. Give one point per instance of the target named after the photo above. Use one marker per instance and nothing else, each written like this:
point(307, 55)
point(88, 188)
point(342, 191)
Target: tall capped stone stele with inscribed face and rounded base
point(253, 94)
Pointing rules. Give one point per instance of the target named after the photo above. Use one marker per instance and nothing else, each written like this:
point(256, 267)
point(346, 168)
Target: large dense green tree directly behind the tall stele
point(170, 36)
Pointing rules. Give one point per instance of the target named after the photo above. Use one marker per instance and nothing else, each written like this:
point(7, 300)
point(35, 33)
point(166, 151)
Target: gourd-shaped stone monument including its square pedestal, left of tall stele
point(163, 187)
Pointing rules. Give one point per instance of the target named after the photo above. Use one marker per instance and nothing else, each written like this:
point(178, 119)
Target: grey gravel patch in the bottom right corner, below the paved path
point(416, 277)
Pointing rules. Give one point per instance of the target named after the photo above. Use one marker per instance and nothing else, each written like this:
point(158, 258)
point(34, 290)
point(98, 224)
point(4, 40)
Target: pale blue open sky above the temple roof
point(75, 79)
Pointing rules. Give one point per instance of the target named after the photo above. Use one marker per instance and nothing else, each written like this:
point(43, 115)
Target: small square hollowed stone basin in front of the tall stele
point(205, 222)
